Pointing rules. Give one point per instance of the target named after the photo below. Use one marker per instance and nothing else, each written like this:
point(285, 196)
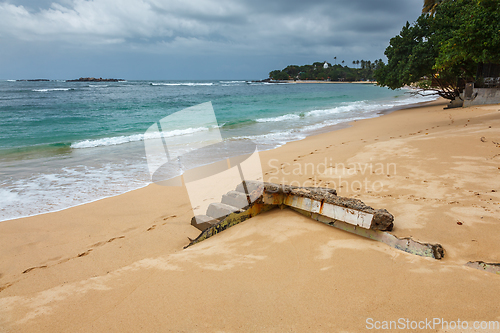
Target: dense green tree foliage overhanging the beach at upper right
point(441, 52)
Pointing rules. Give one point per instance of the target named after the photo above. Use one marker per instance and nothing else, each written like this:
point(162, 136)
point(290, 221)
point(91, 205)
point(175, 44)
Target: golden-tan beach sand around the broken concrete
point(118, 264)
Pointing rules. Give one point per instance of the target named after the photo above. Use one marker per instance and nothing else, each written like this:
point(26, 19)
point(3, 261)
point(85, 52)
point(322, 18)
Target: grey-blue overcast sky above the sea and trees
point(190, 39)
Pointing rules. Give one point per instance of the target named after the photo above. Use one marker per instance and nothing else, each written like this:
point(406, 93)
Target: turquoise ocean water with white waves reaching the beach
point(67, 143)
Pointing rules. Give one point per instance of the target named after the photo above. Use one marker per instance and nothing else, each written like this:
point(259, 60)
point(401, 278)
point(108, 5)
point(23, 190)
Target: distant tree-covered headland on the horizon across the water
point(338, 72)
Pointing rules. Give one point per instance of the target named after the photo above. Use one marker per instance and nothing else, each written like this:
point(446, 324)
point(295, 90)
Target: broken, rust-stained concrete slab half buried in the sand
point(320, 204)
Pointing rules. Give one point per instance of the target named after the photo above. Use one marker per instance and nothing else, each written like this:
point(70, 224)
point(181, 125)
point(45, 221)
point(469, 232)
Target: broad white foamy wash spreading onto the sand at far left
point(48, 192)
